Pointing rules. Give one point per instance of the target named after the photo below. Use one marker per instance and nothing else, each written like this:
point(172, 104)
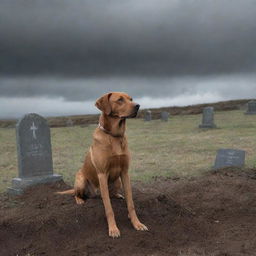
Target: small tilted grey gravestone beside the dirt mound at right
point(229, 157)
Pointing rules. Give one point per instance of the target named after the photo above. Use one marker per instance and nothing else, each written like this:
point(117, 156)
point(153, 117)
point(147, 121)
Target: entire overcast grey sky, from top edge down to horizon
point(57, 57)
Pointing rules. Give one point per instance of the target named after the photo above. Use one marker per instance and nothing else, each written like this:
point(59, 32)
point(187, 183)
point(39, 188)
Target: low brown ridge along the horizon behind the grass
point(84, 120)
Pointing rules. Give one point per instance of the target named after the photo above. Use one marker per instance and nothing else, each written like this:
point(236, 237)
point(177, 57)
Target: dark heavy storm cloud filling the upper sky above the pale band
point(114, 37)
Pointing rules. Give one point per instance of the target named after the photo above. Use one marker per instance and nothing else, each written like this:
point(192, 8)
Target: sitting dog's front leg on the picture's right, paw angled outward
point(130, 205)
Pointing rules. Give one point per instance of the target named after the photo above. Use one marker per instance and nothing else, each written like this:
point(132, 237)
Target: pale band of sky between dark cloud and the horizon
point(68, 96)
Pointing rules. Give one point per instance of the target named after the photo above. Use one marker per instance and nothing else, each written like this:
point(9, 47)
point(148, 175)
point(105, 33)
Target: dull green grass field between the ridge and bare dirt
point(174, 148)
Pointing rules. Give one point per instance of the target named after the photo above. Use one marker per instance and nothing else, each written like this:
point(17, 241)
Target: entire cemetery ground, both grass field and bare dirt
point(189, 209)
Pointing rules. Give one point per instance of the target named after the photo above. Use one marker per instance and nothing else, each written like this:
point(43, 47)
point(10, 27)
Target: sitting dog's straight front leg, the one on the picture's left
point(112, 228)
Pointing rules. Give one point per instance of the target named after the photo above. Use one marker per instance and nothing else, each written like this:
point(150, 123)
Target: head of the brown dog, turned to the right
point(117, 104)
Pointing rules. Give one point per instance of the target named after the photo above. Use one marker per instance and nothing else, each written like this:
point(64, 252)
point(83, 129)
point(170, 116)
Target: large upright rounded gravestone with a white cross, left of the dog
point(34, 154)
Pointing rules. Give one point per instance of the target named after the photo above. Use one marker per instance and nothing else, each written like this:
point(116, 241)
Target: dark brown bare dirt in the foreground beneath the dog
point(211, 215)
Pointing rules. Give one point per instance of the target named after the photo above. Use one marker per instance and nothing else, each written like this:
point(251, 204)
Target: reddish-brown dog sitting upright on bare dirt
point(108, 159)
